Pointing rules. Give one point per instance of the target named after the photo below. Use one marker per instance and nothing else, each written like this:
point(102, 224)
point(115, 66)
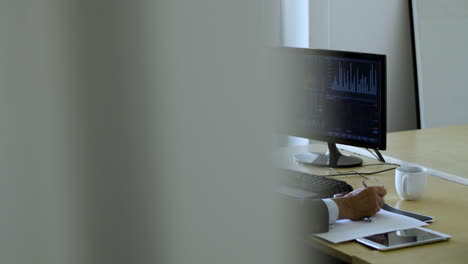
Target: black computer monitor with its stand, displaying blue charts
point(336, 97)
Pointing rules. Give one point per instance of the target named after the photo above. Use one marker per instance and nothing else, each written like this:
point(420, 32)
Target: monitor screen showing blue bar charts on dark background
point(340, 97)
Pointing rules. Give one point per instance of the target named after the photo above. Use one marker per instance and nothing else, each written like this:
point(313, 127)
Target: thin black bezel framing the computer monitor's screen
point(382, 145)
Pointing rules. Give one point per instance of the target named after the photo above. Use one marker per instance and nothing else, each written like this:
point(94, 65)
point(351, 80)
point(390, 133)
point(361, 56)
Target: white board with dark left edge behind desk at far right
point(441, 38)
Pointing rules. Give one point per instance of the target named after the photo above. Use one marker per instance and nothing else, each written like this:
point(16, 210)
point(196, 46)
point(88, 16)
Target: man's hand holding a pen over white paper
point(361, 203)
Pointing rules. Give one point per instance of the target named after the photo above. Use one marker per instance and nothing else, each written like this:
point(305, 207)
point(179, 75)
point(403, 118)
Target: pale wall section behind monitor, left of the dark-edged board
point(374, 26)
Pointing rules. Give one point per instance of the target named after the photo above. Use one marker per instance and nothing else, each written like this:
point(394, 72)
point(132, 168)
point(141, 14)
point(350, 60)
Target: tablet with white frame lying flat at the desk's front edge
point(403, 238)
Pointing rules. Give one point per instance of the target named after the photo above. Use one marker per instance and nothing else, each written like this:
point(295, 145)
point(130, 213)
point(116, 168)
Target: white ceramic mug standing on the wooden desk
point(410, 182)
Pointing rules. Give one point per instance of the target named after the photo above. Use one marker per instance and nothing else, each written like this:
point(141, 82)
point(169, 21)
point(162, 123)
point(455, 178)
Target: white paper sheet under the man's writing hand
point(384, 221)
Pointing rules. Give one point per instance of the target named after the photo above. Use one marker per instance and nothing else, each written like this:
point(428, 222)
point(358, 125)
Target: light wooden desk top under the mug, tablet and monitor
point(444, 149)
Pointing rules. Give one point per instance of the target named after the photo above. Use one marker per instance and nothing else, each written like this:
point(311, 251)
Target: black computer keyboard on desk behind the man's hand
point(324, 187)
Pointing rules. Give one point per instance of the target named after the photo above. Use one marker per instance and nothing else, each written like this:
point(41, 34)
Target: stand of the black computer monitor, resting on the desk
point(332, 159)
